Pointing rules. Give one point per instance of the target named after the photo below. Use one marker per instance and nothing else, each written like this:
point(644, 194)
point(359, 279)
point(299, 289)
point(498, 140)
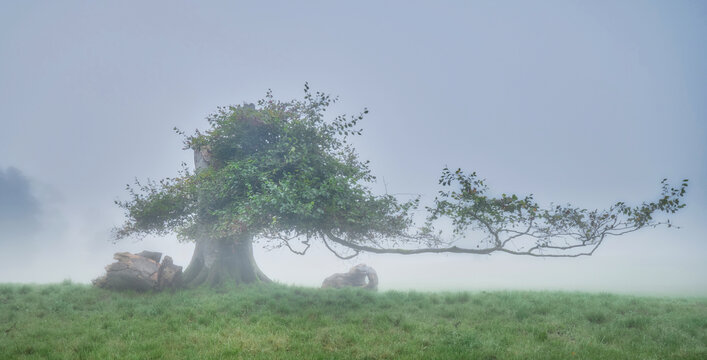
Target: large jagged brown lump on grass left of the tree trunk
point(140, 272)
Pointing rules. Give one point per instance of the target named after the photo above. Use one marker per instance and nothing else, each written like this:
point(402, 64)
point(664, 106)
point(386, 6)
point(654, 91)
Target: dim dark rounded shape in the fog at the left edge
point(19, 208)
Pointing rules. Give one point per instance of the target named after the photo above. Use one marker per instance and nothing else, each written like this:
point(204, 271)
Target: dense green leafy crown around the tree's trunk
point(276, 170)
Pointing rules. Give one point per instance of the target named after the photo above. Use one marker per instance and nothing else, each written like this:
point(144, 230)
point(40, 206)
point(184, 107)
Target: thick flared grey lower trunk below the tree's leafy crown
point(221, 261)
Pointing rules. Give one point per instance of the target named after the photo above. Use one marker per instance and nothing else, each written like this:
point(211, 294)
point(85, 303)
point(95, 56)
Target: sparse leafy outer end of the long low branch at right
point(560, 230)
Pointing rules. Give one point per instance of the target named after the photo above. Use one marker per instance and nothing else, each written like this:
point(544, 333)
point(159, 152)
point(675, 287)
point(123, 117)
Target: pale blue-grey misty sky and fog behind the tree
point(588, 102)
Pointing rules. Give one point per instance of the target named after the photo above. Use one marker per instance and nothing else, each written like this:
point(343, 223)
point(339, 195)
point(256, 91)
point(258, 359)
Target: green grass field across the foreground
point(67, 321)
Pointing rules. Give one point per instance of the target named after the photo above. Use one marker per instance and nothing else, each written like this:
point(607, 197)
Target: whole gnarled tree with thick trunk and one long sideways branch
point(280, 173)
